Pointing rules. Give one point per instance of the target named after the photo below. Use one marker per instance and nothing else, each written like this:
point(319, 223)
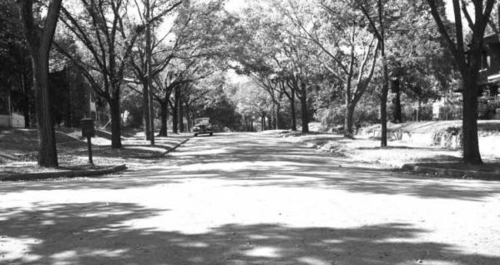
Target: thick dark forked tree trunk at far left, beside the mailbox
point(40, 41)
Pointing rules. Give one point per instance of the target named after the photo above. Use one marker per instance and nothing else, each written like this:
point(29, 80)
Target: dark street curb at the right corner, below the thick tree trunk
point(456, 173)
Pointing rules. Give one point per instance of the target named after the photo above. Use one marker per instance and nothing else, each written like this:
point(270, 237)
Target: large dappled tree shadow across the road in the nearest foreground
point(101, 233)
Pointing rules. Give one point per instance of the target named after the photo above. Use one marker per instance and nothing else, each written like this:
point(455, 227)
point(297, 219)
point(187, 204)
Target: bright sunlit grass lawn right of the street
point(368, 152)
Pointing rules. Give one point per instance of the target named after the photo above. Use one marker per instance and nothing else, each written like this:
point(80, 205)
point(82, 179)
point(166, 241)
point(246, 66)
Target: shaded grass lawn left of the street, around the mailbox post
point(20, 149)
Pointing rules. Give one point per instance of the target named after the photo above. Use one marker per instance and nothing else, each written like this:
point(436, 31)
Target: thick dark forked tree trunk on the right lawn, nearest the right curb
point(467, 61)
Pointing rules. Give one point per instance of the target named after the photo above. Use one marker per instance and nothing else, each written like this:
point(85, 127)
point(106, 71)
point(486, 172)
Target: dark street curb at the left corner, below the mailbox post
point(62, 174)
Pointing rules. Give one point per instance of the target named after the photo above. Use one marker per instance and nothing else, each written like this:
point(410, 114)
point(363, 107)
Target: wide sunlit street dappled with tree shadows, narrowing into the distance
point(250, 199)
